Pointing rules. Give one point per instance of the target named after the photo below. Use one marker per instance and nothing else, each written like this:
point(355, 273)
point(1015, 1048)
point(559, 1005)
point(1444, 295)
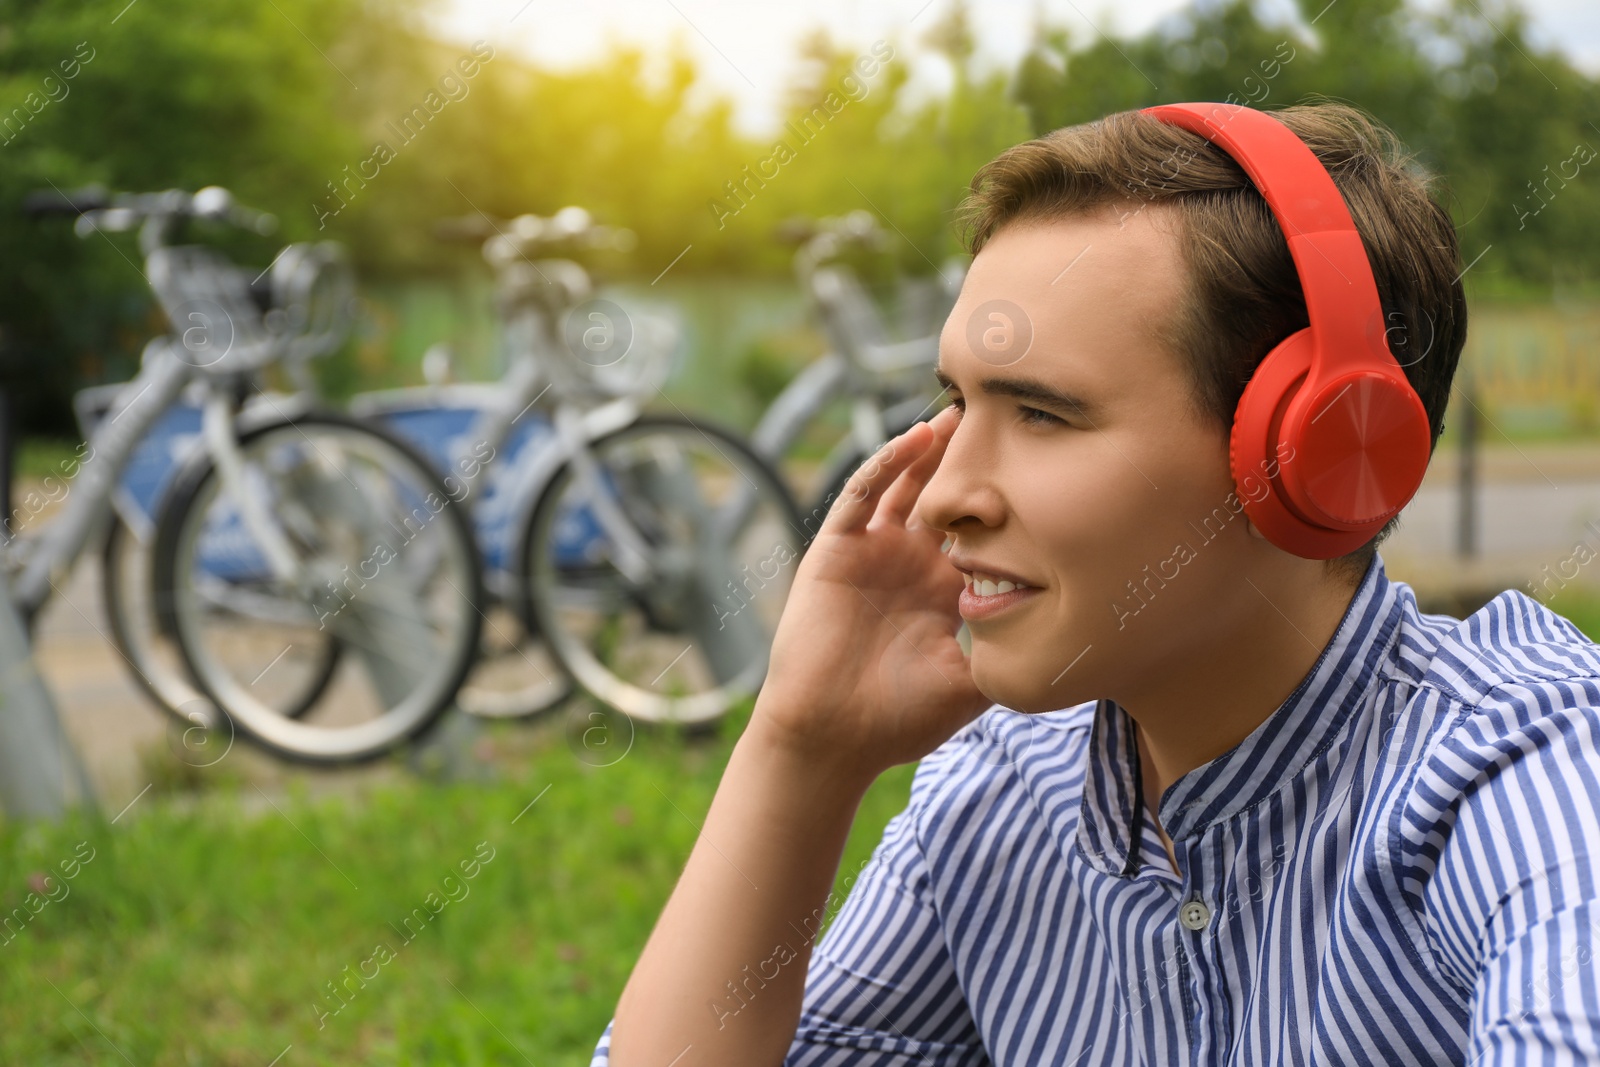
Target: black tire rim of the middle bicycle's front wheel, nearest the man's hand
point(535, 541)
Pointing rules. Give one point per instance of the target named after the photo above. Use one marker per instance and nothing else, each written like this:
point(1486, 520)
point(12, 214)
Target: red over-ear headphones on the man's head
point(1329, 422)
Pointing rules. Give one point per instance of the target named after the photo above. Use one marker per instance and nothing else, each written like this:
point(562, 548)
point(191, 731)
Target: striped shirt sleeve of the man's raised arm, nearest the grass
point(881, 988)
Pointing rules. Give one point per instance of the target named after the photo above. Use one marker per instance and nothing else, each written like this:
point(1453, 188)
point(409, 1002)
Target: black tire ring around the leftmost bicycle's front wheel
point(290, 738)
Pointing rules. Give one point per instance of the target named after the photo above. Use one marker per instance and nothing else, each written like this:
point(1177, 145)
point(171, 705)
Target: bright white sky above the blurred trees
point(746, 49)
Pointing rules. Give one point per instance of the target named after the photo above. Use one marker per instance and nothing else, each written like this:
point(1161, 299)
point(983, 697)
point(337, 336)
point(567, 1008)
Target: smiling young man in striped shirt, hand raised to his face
point(1193, 799)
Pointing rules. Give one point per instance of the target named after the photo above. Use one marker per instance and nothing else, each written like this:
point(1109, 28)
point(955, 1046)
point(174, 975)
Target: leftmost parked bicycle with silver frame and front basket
point(222, 554)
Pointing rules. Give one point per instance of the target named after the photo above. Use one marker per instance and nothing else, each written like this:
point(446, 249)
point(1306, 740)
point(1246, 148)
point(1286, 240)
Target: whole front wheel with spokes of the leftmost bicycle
point(386, 567)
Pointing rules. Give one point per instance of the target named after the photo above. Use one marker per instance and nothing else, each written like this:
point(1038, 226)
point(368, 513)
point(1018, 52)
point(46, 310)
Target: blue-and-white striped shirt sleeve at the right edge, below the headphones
point(1514, 905)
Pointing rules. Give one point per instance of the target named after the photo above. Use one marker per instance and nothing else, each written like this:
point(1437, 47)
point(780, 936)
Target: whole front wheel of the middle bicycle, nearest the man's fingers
point(658, 567)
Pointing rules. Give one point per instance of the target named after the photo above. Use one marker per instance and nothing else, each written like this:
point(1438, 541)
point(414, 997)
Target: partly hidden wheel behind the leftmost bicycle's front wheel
point(151, 650)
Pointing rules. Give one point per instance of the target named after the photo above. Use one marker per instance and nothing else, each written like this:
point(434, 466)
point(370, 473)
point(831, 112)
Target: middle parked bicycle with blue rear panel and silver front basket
point(612, 535)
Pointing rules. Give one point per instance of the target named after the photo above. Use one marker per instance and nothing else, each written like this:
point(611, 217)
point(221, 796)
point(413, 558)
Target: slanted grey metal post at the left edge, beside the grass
point(36, 754)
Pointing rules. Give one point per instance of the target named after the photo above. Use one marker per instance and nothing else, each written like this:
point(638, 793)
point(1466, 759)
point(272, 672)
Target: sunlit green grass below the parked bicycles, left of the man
point(207, 927)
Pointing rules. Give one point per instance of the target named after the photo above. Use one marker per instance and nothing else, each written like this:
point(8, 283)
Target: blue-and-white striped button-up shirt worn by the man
point(1399, 866)
